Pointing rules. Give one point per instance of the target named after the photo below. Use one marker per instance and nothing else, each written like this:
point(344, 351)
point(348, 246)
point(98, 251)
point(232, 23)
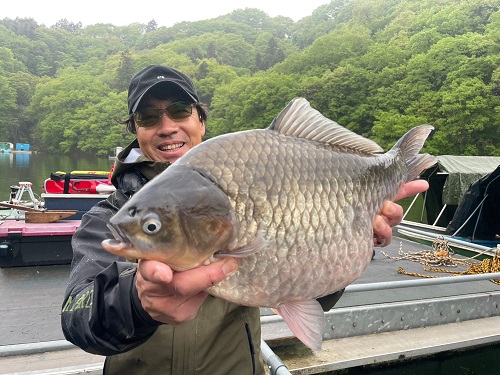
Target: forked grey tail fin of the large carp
point(409, 147)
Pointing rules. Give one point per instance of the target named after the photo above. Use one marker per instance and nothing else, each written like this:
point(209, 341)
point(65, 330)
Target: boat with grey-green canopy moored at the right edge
point(461, 205)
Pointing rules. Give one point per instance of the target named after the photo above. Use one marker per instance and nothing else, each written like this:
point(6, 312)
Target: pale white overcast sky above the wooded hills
point(165, 13)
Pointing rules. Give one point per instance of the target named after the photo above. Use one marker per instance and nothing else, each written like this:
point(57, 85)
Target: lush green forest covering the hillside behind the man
point(377, 67)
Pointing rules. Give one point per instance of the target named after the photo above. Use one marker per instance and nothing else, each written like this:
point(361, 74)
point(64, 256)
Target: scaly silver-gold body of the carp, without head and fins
point(280, 196)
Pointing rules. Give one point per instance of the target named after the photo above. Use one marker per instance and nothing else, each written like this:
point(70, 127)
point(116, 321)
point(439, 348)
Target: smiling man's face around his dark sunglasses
point(169, 139)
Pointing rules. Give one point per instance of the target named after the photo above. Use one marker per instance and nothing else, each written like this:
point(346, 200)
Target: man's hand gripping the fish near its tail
point(391, 213)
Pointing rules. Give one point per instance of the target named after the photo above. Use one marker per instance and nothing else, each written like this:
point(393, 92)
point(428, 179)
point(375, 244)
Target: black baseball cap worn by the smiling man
point(153, 75)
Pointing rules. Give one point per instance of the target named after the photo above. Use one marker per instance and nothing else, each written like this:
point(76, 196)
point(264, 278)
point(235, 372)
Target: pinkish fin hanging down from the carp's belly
point(306, 319)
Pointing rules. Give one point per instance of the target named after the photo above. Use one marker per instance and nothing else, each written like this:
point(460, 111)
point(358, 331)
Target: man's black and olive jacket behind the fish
point(102, 313)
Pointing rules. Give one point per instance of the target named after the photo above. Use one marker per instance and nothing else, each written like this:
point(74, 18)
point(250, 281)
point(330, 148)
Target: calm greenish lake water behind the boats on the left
point(37, 167)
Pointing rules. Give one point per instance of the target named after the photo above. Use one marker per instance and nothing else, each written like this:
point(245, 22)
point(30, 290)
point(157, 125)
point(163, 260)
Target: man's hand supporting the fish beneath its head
point(175, 297)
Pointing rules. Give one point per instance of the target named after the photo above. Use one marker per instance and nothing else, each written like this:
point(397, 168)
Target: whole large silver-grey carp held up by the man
point(294, 202)
